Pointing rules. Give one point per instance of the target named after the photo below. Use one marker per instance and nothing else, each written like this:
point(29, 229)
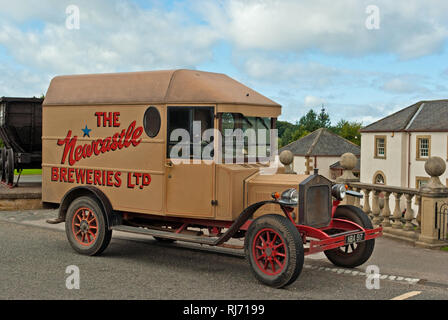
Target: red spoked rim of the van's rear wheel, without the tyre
point(85, 226)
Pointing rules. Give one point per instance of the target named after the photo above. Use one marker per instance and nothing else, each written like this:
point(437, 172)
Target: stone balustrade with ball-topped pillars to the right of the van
point(405, 213)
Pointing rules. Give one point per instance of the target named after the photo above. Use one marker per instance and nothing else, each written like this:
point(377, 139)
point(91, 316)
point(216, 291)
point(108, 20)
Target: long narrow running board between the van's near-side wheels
point(168, 235)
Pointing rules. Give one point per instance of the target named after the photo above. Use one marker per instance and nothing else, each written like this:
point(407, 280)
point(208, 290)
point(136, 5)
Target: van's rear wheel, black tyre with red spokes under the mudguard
point(86, 228)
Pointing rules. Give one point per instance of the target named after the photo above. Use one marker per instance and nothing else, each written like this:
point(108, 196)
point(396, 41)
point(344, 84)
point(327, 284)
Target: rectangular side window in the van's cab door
point(188, 142)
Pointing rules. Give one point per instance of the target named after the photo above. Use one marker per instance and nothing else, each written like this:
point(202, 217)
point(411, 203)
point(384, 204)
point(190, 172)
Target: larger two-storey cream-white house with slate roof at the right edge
point(395, 148)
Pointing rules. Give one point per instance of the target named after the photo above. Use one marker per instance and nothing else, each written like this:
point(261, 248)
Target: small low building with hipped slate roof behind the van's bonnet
point(321, 149)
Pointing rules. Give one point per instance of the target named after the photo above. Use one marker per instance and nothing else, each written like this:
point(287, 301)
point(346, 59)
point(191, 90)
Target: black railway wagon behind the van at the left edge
point(21, 133)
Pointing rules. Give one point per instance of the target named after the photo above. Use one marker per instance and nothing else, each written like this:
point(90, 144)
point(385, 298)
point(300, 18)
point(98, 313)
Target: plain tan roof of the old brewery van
point(155, 87)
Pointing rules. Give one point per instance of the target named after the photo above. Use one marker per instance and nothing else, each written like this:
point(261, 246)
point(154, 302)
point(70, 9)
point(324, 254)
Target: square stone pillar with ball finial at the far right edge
point(433, 195)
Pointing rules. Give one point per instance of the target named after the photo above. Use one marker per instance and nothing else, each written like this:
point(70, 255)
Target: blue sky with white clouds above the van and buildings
point(361, 60)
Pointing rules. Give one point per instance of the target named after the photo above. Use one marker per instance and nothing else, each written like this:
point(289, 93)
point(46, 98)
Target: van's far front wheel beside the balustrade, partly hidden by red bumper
point(353, 255)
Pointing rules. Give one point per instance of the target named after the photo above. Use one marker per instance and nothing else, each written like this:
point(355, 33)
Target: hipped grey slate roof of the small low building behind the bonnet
point(322, 142)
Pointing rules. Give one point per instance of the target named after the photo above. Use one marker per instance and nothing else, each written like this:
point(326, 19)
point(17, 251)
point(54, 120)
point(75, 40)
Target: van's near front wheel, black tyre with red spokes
point(274, 249)
